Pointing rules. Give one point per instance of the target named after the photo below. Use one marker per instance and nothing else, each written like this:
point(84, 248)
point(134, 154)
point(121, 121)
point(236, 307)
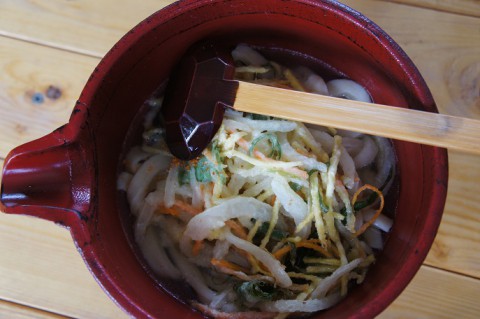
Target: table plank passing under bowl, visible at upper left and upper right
point(444, 46)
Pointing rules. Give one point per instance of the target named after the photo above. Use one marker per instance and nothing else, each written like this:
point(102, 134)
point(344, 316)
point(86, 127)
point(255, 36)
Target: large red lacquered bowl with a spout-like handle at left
point(69, 176)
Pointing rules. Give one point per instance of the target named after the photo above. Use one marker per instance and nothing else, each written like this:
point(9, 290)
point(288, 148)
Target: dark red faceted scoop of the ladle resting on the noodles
point(198, 93)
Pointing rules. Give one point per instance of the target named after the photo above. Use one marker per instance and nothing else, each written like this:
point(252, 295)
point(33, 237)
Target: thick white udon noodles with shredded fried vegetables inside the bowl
point(275, 217)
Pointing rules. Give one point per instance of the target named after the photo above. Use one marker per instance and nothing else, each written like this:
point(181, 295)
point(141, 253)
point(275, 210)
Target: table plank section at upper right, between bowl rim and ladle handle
point(445, 47)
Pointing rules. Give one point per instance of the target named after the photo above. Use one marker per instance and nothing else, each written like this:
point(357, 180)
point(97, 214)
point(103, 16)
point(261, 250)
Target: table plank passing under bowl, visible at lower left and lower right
point(44, 270)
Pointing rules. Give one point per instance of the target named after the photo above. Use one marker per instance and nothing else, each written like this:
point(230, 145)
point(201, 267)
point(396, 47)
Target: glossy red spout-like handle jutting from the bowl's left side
point(48, 178)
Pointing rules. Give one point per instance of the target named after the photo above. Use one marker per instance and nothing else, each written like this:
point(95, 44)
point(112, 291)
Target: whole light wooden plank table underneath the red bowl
point(48, 49)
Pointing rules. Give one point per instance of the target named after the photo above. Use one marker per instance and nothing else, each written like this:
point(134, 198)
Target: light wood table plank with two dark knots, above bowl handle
point(29, 71)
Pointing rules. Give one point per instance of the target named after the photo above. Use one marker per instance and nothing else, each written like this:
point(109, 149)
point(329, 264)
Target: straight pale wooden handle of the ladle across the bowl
point(434, 129)
